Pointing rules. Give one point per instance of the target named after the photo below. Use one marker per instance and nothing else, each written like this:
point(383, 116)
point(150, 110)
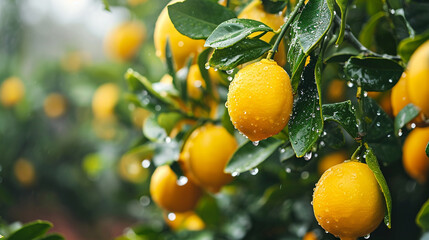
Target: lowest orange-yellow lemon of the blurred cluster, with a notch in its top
point(167, 194)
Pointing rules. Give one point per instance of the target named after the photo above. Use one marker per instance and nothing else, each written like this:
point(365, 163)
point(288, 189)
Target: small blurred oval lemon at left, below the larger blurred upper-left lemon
point(104, 101)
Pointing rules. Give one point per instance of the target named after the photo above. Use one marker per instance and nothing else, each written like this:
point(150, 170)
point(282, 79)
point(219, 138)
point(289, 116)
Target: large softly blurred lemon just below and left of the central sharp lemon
point(205, 155)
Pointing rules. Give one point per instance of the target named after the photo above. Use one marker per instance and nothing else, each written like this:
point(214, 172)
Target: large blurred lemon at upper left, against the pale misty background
point(123, 42)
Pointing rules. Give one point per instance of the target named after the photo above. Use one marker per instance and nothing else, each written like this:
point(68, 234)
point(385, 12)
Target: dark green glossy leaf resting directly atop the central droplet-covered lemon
point(244, 51)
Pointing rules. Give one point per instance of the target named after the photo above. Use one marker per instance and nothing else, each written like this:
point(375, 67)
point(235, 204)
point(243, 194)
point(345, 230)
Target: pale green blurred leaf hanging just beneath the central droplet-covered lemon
point(249, 156)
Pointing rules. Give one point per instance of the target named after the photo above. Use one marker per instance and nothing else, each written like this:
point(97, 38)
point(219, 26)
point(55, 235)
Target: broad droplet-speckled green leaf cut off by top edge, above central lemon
point(314, 22)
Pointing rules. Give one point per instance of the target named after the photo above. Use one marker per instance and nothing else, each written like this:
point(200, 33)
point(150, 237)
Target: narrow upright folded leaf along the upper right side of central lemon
point(295, 57)
